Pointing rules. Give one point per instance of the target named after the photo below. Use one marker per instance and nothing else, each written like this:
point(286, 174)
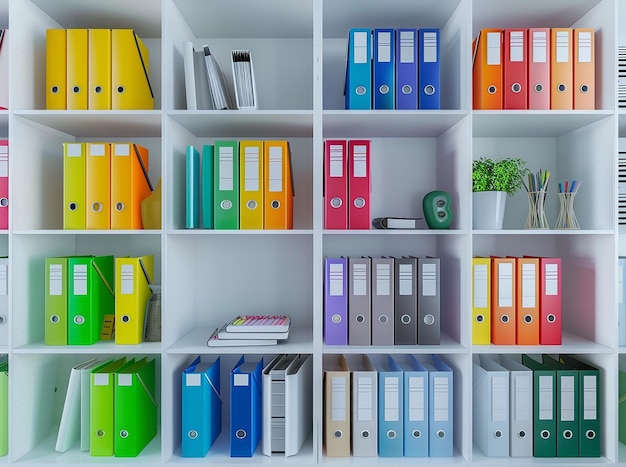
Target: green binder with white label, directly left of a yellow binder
point(226, 185)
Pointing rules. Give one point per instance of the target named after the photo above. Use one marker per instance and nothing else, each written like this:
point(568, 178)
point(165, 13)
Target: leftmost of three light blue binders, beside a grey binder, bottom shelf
point(390, 407)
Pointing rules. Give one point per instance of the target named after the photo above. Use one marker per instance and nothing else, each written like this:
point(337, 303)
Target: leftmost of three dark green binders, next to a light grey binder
point(544, 405)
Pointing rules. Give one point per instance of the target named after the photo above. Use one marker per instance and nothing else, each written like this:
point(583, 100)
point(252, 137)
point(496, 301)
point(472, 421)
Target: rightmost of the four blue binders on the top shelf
point(429, 95)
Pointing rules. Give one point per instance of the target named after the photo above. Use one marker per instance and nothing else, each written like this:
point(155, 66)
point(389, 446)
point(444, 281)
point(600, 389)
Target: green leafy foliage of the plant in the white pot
point(498, 175)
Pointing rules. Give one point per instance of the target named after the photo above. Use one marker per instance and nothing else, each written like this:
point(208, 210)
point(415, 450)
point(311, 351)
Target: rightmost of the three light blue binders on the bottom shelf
point(440, 409)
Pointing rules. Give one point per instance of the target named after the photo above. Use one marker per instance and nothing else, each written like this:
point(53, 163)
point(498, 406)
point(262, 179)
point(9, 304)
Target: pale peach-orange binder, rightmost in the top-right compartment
point(584, 69)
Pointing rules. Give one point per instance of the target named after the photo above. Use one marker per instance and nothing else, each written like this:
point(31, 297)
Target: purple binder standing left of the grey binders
point(336, 301)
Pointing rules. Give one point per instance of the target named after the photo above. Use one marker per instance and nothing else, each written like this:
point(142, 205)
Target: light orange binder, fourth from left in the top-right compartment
point(561, 69)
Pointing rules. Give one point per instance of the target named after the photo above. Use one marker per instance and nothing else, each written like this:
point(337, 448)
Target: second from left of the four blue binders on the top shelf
point(383, 70)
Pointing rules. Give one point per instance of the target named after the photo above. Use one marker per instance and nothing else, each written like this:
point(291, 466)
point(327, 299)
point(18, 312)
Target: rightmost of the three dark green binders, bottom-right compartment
point(590, 388)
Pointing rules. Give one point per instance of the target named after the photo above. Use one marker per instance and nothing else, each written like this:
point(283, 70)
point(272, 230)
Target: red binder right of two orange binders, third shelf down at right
point(550, 328)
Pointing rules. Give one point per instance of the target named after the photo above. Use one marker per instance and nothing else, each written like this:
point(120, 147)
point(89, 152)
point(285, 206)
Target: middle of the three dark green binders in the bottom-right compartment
point(567, 408)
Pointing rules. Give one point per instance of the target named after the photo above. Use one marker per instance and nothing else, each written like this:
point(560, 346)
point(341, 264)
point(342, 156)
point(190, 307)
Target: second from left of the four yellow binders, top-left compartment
point(77, 69)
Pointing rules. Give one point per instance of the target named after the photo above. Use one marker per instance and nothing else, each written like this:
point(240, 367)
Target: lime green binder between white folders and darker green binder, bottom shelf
point(102, 407)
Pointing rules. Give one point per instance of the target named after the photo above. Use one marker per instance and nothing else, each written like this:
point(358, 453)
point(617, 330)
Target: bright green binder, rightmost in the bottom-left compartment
point(135, 408)
